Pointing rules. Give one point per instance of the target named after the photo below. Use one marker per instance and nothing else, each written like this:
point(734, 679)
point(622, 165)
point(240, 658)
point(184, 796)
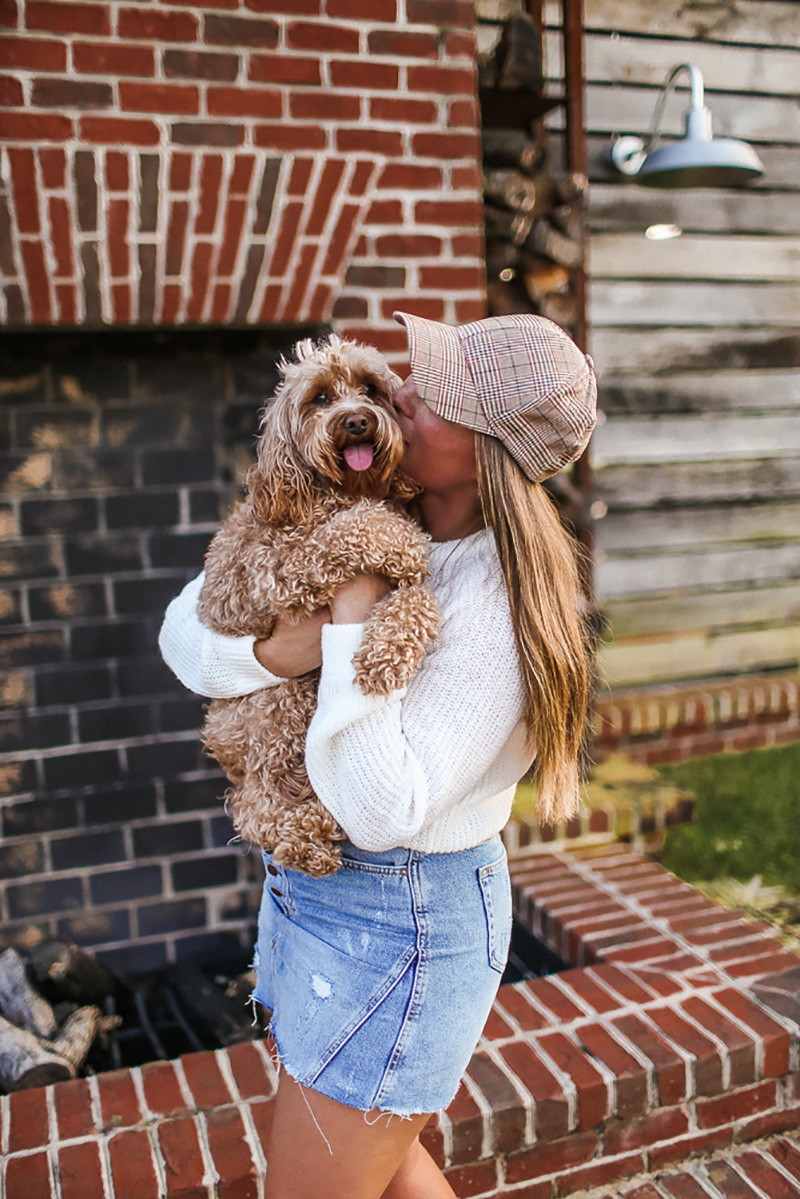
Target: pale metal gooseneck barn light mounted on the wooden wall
point(699, 160)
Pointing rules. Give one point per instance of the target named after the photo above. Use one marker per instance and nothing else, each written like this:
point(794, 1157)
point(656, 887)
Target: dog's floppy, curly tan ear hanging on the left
point(281, 487)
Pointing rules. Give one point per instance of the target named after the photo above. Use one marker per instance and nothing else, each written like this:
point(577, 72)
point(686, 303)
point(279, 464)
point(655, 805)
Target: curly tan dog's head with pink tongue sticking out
point(332, 426)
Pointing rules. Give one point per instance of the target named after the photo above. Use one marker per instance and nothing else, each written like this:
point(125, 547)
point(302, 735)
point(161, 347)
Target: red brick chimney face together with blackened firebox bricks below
point(230, 164)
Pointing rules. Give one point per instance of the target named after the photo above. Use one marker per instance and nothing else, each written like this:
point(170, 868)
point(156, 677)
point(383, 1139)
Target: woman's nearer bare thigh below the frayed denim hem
point(363, 1160)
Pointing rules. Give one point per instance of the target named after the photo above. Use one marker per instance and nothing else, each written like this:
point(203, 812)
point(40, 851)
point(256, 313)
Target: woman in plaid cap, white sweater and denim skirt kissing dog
point(382, 977)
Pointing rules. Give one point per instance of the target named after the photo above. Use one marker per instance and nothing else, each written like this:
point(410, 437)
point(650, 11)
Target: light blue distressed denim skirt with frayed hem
point(382, 977)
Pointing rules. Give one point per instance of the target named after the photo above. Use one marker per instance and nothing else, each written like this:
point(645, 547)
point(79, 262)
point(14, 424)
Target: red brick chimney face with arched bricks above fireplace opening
point(239, 161)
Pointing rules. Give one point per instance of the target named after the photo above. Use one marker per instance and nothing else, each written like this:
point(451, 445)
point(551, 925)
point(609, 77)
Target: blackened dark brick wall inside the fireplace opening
point(123, 453)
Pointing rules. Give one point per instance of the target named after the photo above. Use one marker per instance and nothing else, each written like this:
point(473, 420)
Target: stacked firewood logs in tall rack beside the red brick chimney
point(534, 218)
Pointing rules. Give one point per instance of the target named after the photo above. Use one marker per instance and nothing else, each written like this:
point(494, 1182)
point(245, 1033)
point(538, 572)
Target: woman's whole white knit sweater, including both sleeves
point(435, 766)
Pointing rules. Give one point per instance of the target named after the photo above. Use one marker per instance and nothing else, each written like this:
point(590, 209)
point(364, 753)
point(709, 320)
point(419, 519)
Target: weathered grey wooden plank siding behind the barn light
point(697, 346)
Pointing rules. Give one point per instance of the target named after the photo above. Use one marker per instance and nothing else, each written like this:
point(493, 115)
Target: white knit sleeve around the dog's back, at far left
point(206, 662)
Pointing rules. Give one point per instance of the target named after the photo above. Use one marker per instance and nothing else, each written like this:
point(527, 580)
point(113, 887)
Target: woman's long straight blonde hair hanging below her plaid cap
point(540, 568)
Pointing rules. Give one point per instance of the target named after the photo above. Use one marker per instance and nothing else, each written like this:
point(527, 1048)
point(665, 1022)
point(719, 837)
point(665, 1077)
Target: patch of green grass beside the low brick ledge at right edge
point(747, 818)
